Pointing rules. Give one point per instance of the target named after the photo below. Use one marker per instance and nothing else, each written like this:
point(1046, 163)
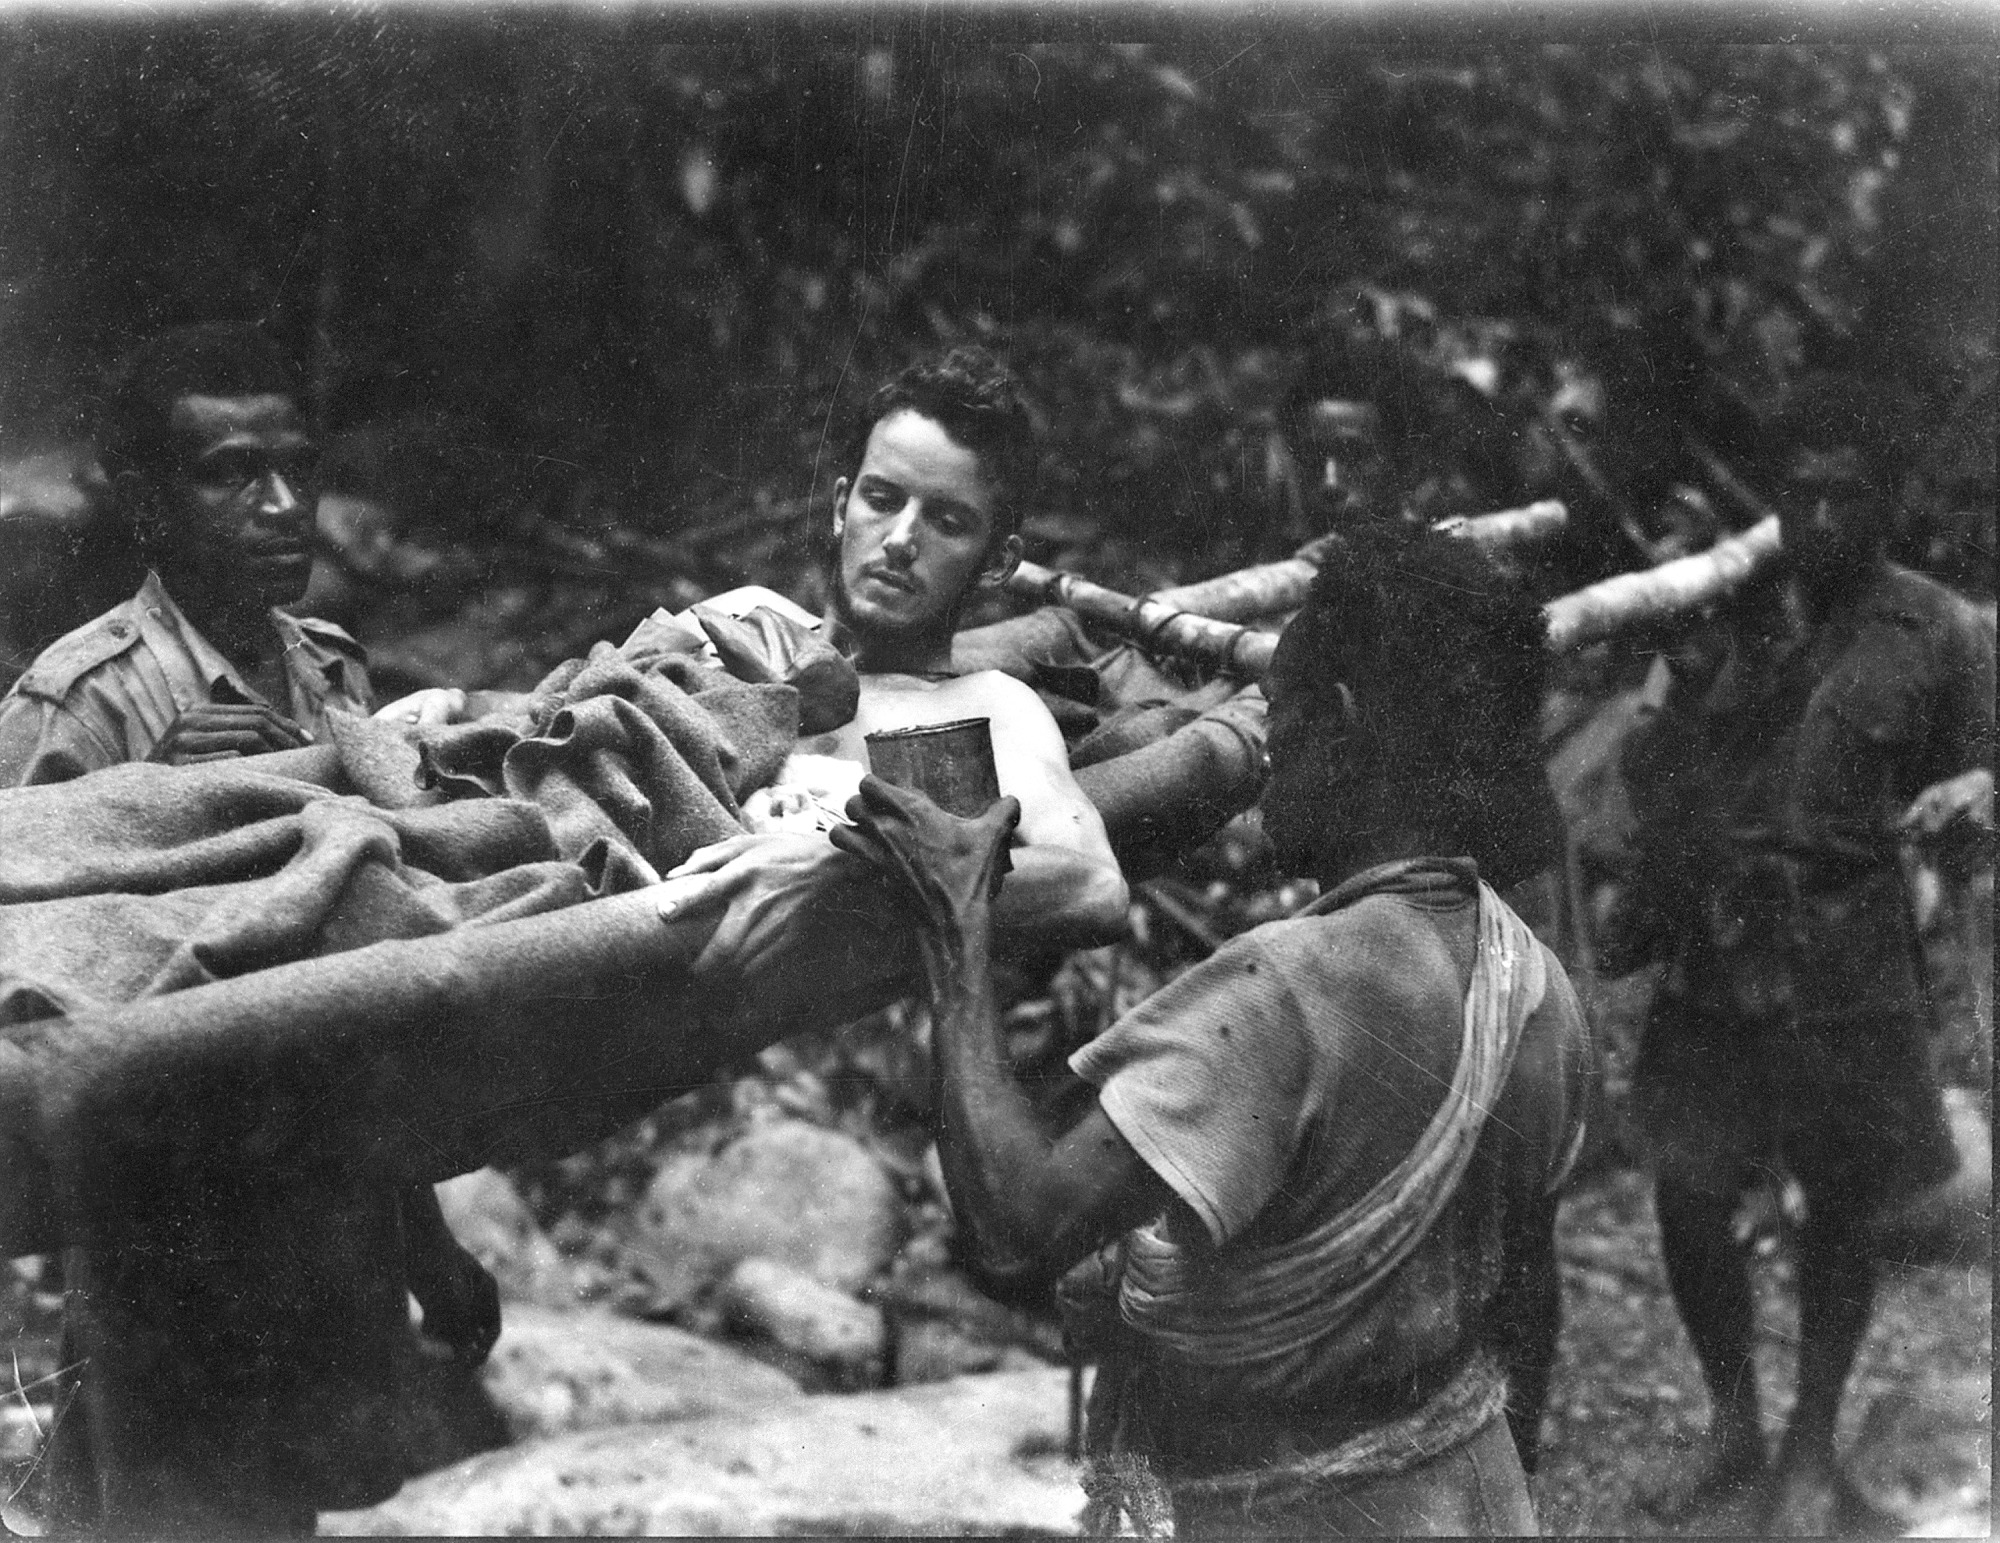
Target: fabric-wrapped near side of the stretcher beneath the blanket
point(417, 1060)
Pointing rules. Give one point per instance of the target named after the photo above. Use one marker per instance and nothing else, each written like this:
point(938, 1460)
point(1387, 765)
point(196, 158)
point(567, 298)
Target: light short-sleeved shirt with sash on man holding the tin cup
point(1315, 1094)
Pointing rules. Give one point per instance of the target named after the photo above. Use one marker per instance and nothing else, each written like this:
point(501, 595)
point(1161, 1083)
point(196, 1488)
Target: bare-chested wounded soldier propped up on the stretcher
point(925, 521)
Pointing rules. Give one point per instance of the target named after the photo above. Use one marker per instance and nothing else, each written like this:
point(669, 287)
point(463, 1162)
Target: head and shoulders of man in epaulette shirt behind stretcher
point(217, 481)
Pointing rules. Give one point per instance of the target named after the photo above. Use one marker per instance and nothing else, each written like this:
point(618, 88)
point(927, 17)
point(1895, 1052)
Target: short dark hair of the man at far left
point(211, 359)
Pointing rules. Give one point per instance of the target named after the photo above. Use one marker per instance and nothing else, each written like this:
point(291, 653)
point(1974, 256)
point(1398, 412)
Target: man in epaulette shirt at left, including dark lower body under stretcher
point(217, 479)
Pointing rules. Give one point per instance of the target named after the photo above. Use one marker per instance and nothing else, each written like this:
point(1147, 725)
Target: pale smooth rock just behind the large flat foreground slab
point(585, 1370)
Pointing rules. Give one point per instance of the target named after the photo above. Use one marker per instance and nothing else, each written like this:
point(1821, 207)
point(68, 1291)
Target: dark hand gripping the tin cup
point(945, 866)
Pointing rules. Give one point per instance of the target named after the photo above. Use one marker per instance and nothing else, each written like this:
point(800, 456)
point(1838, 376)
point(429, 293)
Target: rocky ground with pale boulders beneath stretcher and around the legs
point(745, 1318)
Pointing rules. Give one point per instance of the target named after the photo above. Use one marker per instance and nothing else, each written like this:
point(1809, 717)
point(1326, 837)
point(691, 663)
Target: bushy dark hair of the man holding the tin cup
point(1447, 663)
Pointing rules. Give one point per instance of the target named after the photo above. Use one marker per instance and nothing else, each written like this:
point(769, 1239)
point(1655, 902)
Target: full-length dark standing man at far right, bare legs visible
point(1847, 715)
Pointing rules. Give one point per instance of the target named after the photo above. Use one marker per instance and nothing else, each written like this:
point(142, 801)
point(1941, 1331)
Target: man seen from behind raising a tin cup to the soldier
point(1327, 1158)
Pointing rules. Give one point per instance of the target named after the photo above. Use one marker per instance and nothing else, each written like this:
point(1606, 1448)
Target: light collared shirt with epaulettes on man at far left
point(107, 693)
